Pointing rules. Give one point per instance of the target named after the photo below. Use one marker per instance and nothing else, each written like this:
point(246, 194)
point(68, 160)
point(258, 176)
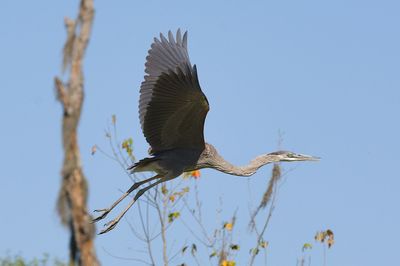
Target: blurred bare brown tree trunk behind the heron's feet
point(73, 193)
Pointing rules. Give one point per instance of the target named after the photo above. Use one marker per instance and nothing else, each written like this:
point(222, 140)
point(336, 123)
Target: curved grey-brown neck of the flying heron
point(222, 165)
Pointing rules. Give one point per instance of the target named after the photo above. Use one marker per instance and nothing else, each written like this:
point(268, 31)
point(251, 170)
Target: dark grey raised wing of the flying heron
point(172, 107)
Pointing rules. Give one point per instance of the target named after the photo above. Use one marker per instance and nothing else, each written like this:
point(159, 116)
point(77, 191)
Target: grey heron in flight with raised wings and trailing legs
point(172, 111)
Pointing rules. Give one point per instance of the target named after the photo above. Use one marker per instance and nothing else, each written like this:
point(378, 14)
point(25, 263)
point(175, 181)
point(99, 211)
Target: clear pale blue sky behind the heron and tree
point(326, 73)
